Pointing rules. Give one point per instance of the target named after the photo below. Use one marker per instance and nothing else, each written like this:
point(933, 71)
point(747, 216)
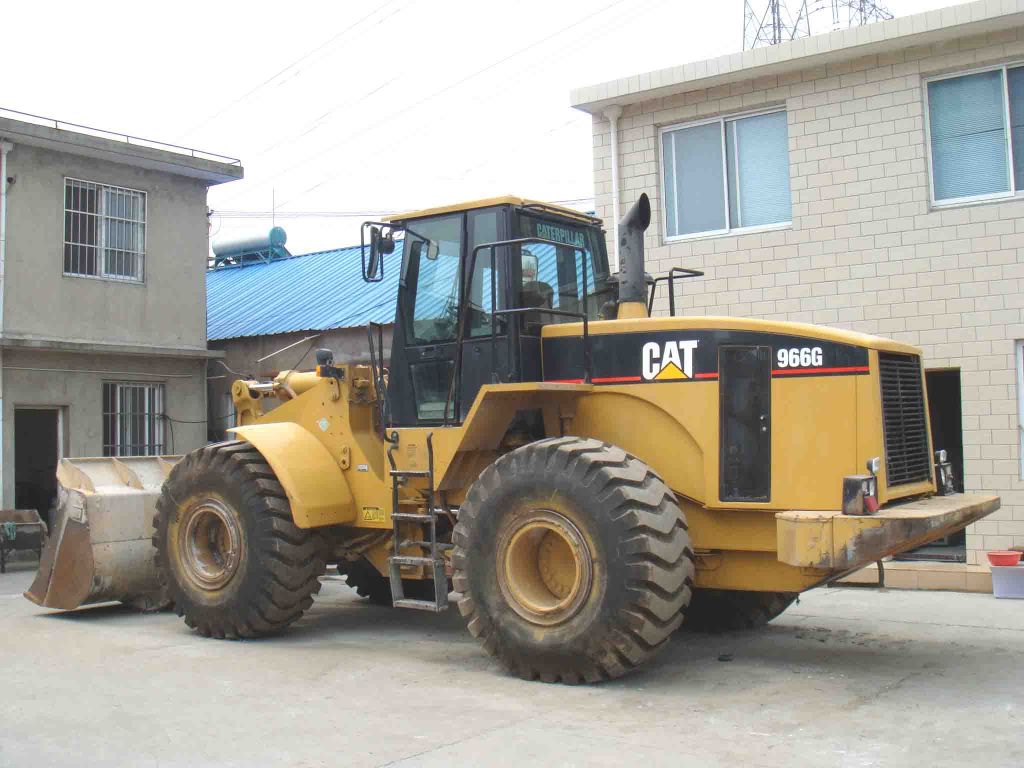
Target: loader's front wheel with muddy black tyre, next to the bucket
point(228, 551)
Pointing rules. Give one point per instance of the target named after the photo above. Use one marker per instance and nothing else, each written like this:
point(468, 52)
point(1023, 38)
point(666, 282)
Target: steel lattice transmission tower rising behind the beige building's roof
point(775, 22)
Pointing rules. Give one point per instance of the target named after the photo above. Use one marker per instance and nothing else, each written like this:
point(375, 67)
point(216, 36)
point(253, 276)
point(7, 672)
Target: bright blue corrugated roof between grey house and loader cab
point(314, 292)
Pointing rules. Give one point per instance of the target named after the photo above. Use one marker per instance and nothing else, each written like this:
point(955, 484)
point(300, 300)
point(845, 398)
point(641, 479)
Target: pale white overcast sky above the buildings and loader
point(360, 108)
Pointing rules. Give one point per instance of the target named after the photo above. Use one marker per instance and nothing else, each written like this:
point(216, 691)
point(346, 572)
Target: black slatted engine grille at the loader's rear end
point(908, 457)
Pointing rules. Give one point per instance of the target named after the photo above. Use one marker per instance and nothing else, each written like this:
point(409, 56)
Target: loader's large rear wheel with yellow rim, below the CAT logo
point(574, 562)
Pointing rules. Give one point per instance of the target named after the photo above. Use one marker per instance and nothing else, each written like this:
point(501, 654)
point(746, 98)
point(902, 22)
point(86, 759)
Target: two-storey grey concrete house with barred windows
point(103, 301)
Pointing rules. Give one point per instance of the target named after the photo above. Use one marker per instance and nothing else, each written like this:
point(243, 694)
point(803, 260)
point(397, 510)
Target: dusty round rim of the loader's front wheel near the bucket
point(210, 543)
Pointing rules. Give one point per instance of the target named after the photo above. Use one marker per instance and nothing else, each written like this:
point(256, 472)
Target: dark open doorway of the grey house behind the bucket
point(37, 442)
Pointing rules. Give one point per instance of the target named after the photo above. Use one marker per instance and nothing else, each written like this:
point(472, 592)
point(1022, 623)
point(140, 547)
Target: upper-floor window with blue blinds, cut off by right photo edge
point(976, 136)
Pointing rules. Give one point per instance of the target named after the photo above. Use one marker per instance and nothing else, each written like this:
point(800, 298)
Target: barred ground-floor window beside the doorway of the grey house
point(134, 419)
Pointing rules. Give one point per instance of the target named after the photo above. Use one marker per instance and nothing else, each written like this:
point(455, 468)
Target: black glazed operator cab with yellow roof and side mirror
point(468, 307)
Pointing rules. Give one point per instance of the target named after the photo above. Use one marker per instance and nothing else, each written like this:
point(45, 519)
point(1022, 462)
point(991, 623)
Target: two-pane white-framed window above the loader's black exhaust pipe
point(730, 174)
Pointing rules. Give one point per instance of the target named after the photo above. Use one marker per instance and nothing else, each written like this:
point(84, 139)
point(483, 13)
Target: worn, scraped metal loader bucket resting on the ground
point(101, 546)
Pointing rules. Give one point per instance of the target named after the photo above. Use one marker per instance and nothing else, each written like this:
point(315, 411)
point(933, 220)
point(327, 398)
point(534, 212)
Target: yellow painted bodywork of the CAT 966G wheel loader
point(825, 429)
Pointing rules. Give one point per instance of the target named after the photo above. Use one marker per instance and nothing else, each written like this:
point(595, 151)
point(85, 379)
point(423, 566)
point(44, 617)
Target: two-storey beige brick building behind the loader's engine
point(872, 180)
